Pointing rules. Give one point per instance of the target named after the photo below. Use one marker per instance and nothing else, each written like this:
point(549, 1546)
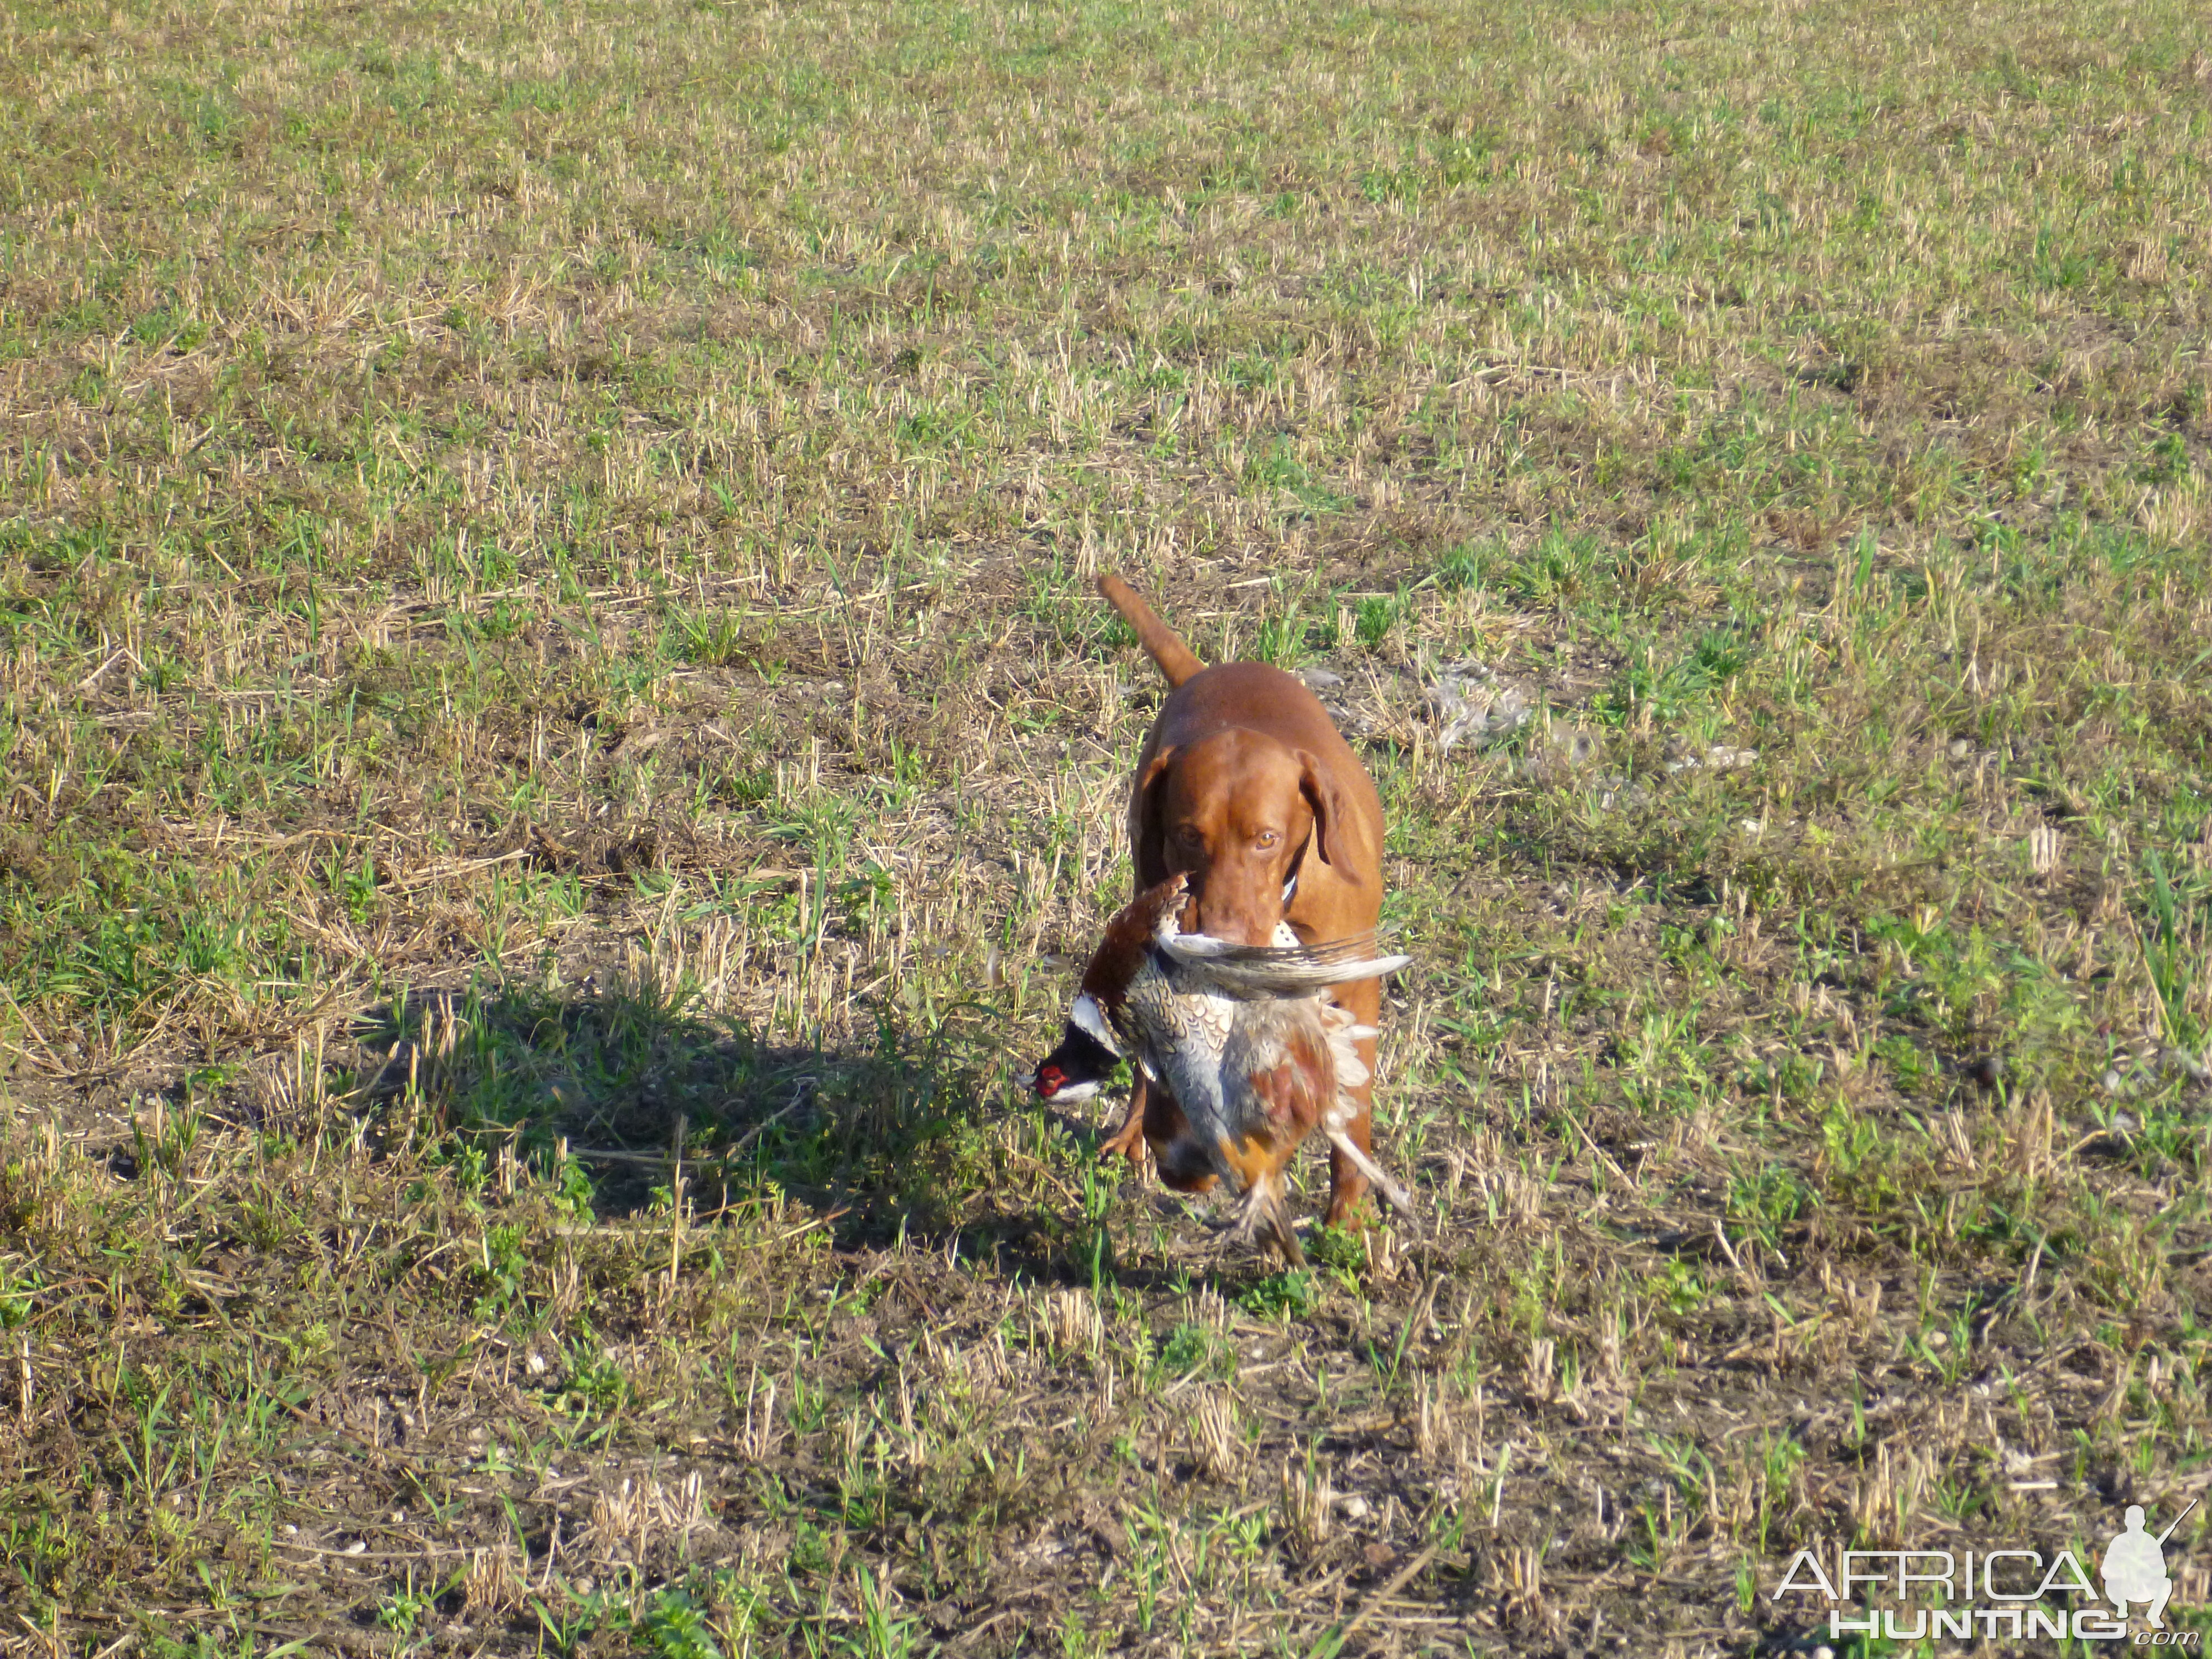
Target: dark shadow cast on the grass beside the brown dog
point(879, 1138)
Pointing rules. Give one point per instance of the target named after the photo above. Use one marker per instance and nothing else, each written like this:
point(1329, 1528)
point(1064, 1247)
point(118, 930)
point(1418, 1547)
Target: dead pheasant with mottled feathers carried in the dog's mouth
point(1242, 1054)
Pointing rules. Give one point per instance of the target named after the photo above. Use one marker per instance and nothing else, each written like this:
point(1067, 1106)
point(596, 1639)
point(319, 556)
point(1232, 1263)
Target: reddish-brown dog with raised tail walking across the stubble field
point(1249, 789)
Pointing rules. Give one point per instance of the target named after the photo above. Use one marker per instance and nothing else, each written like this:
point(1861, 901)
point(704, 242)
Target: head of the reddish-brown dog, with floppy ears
point(1240, 813)
